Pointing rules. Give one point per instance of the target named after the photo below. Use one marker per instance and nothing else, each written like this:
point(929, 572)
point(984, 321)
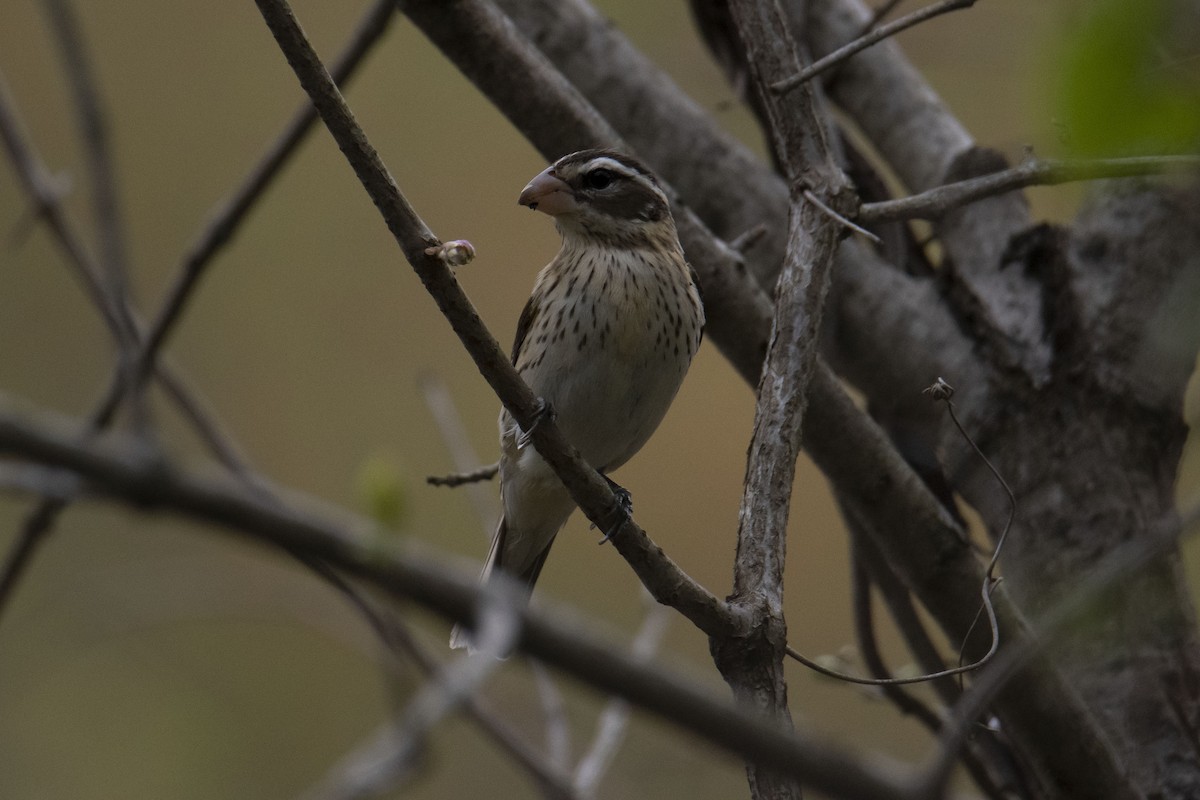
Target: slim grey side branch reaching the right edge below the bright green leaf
point(1035, 172)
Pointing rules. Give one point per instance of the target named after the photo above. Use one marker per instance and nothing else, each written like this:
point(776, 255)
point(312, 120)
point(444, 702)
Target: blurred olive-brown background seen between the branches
point(146, 658)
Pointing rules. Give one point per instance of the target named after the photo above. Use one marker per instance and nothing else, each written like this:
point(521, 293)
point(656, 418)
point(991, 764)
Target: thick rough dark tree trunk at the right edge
point(1093, 455)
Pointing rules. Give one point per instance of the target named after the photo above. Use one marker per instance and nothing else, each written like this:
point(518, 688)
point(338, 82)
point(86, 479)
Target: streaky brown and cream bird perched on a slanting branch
point(605, 341)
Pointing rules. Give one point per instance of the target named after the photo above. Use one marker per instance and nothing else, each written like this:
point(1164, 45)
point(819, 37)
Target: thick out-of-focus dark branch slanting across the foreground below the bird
point(351, 544)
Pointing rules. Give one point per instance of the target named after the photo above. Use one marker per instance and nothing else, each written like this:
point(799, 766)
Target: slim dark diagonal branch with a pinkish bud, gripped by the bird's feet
point(590, 491)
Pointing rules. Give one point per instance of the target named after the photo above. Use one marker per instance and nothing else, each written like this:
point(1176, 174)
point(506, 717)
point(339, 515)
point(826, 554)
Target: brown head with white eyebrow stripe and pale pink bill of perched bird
point(603, 196)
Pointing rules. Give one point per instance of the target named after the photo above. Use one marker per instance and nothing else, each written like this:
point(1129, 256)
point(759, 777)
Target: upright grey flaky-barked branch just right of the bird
point(753, 665)
